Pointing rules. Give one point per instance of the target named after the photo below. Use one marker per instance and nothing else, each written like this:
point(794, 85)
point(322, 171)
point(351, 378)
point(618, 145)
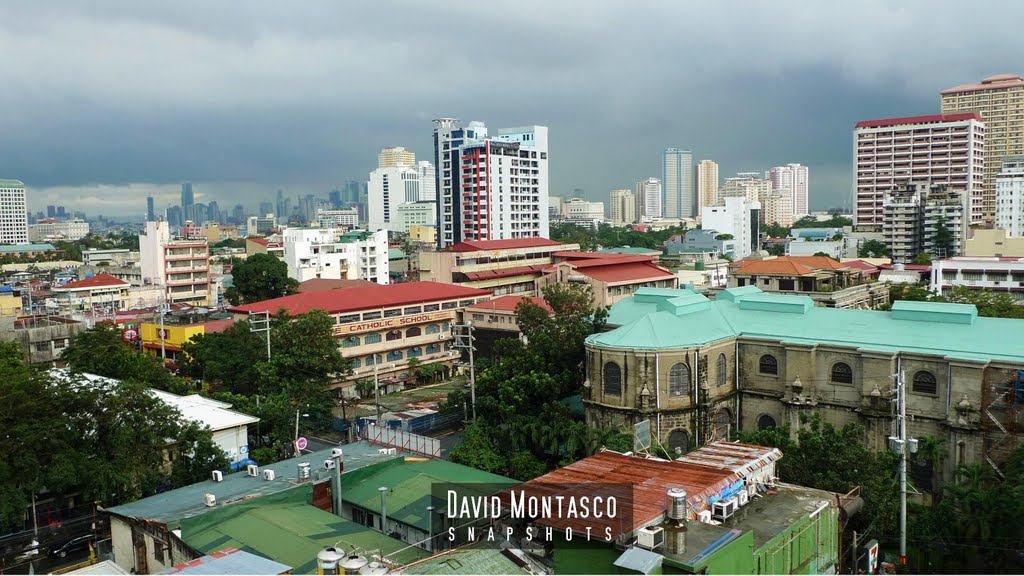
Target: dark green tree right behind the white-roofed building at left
point(101, 351)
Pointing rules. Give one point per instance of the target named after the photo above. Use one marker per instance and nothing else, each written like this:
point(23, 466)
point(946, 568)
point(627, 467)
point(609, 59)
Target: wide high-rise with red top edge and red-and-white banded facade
point(942, 149)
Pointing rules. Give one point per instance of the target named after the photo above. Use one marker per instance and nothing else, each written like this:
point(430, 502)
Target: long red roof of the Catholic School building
point(334, 302)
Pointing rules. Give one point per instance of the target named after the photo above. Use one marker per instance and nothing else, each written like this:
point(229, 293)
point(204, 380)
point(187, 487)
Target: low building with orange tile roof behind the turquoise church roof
point(827, 281)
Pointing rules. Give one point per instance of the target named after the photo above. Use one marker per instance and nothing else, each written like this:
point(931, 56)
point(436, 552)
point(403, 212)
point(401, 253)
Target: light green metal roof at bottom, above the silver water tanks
point(286, 528)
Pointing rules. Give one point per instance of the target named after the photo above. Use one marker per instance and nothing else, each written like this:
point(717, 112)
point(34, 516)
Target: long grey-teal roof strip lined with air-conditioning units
point(188, 502)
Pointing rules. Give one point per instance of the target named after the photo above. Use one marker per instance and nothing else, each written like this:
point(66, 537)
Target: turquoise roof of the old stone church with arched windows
point(951, 331)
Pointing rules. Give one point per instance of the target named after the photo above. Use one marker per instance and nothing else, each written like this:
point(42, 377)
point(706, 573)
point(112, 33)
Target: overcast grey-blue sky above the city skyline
point(106, 102)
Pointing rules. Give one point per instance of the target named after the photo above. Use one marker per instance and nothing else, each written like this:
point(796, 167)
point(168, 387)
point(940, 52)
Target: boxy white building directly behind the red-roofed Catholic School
point(334, 255)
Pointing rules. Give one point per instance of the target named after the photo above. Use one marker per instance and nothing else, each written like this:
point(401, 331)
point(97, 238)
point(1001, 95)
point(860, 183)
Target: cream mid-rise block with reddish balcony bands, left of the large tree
point(182, 267)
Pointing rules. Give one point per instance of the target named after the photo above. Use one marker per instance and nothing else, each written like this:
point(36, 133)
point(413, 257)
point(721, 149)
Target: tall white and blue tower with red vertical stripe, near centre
point(490, 188)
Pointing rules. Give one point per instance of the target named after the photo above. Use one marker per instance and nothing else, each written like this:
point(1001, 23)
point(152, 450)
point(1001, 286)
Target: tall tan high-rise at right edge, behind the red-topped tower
point(1000, 101)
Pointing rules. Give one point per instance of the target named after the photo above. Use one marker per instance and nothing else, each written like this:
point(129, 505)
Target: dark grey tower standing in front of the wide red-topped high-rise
point(913, 215)
